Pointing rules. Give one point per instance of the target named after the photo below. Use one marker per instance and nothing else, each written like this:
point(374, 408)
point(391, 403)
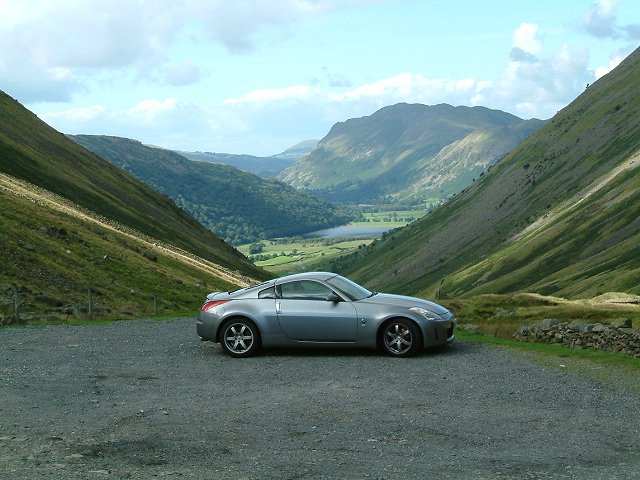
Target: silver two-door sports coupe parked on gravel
point(321, 309)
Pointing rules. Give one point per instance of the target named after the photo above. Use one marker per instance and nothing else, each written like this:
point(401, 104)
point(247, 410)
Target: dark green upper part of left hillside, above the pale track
point(31, 150)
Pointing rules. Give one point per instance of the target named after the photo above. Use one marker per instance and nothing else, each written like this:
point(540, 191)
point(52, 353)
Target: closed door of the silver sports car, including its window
point(305, 314)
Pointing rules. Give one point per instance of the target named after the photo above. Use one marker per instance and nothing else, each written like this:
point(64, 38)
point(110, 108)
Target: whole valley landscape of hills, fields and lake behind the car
point(537, 219)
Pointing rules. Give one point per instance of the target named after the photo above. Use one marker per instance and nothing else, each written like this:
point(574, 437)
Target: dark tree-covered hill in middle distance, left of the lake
point(238, 206)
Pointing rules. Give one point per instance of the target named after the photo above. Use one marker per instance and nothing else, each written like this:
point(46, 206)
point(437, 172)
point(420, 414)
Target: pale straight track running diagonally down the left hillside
point(55, 202)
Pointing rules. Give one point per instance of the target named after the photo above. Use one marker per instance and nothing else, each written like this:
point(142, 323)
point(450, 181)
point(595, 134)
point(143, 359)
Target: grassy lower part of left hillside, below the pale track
point(55, 258)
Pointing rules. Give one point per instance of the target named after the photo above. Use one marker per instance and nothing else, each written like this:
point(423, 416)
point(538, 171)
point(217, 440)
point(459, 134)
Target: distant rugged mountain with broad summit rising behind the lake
point(407, 153)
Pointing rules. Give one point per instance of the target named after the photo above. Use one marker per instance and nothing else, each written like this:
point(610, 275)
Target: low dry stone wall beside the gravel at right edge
point(619, 337)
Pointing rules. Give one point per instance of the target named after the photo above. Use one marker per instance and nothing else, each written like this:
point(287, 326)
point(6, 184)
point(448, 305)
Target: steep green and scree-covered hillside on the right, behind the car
point(559, 215)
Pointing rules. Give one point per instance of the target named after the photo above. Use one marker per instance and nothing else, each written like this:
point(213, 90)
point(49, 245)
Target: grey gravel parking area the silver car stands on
point(146, 399)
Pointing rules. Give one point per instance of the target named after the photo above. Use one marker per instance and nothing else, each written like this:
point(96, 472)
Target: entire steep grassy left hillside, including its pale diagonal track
point(70, 223)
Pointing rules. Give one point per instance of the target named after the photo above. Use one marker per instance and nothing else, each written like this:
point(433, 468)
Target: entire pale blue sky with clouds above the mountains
point(257, 77)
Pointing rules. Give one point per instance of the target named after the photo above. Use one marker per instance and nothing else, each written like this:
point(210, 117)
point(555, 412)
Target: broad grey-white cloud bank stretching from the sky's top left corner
point(41, 38)
